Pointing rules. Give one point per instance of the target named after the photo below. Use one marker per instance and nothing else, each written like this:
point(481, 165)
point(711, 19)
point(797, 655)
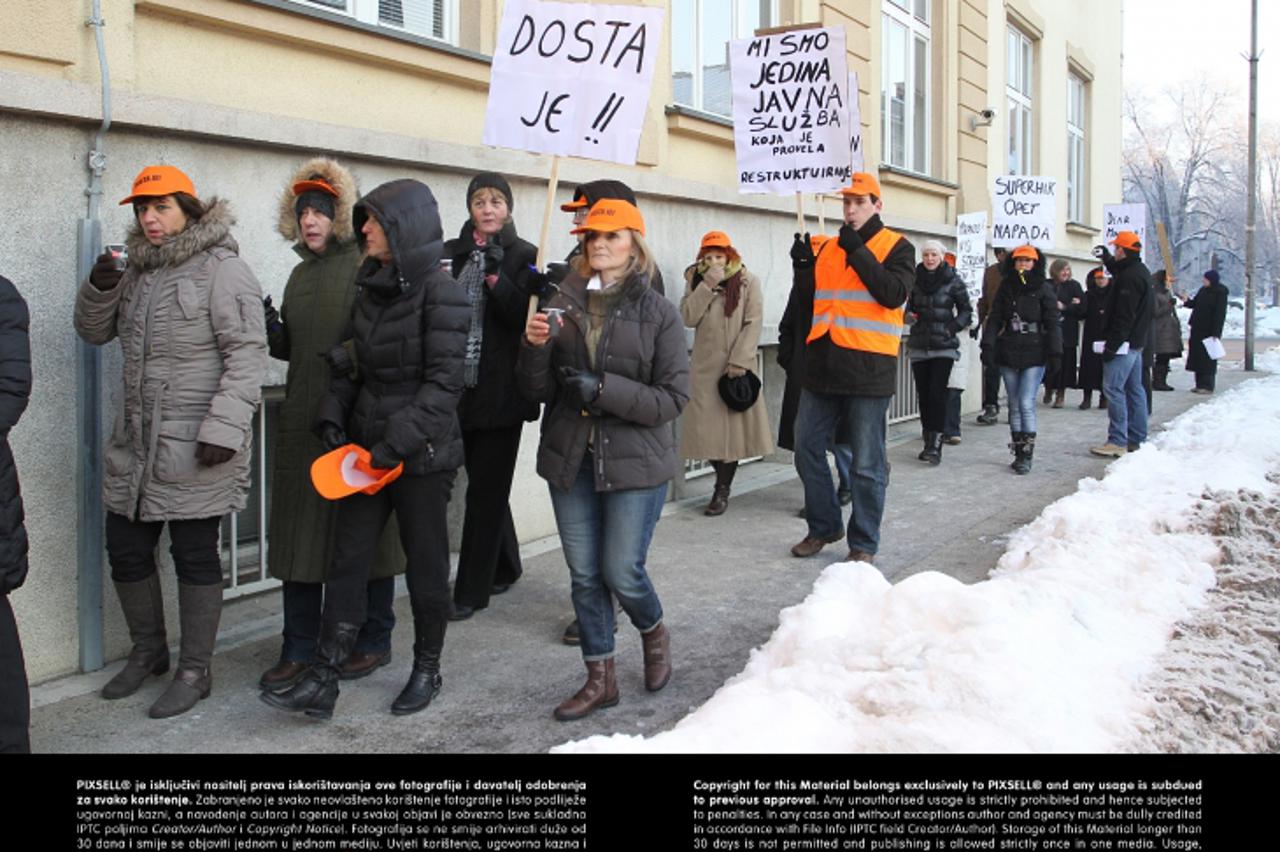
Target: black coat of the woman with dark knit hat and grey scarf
point(495, 404)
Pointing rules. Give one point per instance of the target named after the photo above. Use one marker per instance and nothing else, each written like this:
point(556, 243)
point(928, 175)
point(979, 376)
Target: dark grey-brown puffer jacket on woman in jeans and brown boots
point(644, 365)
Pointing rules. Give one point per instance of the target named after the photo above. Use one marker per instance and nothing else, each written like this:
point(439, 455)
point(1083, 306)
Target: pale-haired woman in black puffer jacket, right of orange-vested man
point(939, 310)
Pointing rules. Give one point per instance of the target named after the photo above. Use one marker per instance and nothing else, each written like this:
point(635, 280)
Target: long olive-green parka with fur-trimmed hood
point(316, 310)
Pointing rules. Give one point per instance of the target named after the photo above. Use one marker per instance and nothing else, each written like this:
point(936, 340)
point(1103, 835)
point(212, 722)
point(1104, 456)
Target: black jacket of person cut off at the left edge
point(15, 393)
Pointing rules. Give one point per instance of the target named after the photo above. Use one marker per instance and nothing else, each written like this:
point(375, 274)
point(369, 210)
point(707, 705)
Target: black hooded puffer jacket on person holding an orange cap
point(410, 329)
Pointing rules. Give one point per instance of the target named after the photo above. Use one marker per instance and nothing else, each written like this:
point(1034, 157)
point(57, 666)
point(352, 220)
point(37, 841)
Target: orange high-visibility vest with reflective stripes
point(844, 309)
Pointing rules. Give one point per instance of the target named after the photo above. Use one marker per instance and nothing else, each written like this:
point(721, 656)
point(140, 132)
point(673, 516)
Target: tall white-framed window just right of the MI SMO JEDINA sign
point(906, 85)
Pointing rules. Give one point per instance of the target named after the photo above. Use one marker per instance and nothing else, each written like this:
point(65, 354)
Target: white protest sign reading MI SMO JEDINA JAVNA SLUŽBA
point(792, 112)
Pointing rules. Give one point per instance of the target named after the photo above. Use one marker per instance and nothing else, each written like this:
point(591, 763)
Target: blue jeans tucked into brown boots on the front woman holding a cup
point(606, 539)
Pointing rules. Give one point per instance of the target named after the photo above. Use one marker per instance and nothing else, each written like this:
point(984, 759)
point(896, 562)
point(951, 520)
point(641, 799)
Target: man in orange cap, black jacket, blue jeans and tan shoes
point(1127, 336)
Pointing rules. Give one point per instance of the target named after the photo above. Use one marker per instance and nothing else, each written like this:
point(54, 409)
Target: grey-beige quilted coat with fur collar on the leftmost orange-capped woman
point(189, 317)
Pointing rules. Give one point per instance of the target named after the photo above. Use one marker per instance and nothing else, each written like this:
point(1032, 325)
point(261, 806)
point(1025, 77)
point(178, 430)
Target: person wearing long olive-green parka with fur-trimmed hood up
point(316, 218)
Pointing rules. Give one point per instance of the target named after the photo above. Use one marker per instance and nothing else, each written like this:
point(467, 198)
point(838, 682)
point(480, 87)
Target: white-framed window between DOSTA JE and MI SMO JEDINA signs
point(701, 31)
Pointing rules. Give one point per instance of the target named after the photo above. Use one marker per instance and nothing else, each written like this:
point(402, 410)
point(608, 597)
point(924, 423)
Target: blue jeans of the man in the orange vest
point(816, 427)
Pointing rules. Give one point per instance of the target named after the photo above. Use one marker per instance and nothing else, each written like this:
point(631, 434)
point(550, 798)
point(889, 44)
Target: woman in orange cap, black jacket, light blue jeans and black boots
point(1025, 338)
